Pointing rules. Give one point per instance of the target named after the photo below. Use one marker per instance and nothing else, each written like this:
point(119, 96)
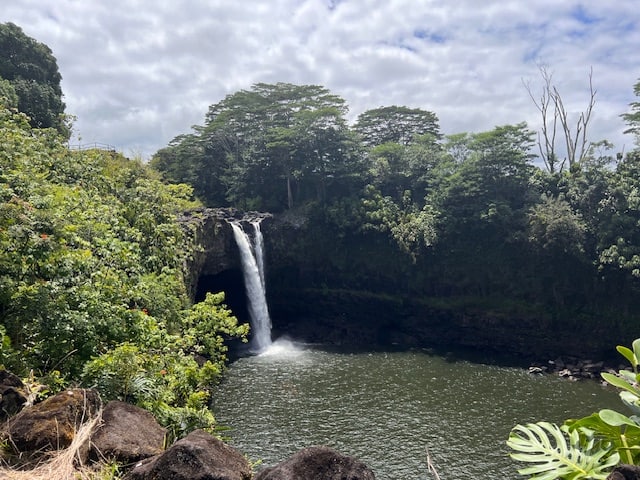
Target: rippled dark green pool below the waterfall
point(387, 408)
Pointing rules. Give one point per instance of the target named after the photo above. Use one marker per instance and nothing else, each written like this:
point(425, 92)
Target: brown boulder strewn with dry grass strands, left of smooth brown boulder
point(51, 424)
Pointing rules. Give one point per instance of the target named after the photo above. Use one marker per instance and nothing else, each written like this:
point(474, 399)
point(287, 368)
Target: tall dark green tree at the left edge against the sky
point(32, 70)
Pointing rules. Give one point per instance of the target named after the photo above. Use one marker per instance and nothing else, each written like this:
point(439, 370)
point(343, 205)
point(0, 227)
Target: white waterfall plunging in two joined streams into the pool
point(253, 271)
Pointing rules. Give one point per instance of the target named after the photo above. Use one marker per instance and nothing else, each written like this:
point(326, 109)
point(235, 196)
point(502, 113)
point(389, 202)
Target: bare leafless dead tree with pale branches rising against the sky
point(555, 116)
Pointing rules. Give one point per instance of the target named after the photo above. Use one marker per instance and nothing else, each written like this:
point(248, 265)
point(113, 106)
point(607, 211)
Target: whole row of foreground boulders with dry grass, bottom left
point(71, 434)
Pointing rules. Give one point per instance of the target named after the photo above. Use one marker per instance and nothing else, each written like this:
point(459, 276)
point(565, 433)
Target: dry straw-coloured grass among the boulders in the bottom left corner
point(64, 464)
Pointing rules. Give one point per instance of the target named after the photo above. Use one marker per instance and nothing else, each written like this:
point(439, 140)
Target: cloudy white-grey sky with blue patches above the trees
point(137, 73)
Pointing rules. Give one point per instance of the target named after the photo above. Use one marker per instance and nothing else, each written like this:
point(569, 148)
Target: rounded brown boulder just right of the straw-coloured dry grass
point(127, 434)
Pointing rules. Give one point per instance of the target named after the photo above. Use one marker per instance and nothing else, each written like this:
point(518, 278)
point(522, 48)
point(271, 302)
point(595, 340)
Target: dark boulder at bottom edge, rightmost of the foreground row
point(318, 463)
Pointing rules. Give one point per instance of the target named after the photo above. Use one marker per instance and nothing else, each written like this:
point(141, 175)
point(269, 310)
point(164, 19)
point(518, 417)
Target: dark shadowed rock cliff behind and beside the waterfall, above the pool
point(355, 291)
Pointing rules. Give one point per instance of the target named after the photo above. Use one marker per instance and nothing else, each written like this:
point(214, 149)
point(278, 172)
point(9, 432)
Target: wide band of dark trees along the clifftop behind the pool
point(468, 215)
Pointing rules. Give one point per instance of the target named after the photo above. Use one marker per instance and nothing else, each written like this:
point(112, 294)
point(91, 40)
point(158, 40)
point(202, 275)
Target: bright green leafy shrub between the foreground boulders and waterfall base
point(161, 372)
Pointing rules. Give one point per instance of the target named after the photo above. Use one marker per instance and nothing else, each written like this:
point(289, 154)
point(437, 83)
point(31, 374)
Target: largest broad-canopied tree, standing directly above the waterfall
point(269, 147)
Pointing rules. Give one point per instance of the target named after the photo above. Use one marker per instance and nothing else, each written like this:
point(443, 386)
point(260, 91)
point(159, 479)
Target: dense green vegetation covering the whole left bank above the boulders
point(92, 281)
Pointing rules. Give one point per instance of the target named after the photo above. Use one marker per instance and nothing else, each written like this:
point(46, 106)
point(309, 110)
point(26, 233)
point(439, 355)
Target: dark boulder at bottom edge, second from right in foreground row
point(198, 456)
